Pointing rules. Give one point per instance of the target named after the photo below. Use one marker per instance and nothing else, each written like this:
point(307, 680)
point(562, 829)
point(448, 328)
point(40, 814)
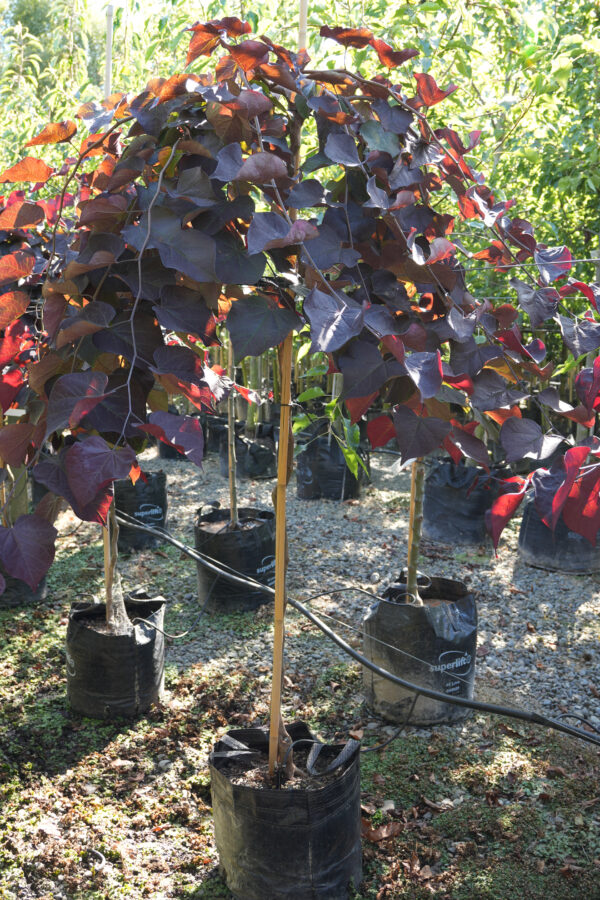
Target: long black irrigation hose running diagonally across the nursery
point(480, 706)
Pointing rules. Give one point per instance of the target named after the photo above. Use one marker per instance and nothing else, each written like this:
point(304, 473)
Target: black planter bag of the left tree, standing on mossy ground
point(115, 674)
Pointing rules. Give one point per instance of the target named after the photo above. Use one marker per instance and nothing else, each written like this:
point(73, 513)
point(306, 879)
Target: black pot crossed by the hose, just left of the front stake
point(249, 550)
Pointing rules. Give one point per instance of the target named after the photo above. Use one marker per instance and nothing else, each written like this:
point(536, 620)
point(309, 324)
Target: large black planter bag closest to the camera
point(286, 844)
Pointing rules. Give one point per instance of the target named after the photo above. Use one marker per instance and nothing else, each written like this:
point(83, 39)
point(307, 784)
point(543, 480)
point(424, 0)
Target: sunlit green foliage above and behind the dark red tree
point(527, 73)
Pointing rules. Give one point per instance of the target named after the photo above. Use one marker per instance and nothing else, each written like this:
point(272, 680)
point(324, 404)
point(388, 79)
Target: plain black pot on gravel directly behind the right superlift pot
point(455, 502)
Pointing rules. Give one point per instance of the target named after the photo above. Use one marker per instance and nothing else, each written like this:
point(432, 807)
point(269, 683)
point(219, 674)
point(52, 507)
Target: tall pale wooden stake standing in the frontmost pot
point(280, 549)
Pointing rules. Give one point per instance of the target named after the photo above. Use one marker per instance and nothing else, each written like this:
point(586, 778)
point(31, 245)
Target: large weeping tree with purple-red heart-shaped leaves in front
point(265, 195)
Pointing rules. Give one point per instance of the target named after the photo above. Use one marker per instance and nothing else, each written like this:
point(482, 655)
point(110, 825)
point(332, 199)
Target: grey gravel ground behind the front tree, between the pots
point(538, 631)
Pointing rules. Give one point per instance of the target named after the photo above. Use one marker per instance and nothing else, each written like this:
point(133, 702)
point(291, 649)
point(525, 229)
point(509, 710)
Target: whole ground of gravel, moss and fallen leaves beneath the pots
point(491, 809)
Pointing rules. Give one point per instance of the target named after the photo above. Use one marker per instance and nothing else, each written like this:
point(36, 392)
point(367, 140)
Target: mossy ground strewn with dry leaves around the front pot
point(97, 810)
